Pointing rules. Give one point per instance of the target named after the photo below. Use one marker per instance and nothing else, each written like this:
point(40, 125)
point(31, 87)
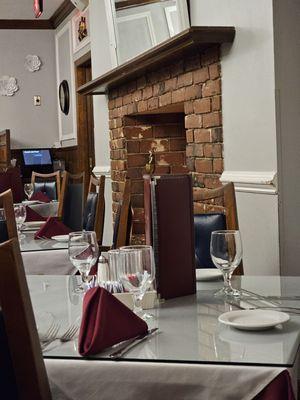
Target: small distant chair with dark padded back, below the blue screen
point(49, 184)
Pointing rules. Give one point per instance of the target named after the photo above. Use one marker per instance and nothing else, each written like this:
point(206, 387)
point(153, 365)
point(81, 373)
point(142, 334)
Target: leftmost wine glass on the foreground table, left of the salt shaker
point(83, 253)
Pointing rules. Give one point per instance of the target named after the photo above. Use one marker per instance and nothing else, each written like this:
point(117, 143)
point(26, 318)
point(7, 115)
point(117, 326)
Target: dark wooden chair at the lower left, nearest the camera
point(25, 374)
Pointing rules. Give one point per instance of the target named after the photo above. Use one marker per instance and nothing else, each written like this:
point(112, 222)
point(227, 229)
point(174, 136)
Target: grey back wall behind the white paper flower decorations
point(30, 126)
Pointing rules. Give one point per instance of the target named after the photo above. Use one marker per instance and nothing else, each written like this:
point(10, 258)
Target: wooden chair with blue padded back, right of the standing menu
point(214, 209)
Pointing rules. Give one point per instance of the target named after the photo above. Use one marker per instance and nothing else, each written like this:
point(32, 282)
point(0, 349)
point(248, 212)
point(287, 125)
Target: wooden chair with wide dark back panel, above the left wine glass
point(70, 209)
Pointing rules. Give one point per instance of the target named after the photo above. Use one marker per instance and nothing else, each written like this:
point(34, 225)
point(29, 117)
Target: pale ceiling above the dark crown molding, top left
point(23, 9)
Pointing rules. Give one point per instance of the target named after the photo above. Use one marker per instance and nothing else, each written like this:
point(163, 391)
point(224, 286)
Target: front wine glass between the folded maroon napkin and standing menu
point(136, 271)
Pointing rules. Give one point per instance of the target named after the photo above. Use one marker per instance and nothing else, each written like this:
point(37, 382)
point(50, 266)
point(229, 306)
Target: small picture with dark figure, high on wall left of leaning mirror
point(81, 30)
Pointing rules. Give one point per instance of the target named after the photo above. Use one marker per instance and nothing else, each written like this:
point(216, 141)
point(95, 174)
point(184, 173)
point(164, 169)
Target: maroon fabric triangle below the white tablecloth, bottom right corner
point(279, 389)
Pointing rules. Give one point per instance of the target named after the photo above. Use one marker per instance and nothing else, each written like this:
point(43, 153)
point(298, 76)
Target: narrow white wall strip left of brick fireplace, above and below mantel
point(101, 62)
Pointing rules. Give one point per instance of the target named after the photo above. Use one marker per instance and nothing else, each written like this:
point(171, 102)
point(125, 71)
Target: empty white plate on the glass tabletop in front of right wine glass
point(253, 320)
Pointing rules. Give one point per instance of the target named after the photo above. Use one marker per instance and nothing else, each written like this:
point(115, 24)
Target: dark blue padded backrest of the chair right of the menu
point(204, 225)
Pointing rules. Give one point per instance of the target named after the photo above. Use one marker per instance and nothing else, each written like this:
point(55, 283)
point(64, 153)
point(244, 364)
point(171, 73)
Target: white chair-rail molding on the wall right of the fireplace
point(263, 182)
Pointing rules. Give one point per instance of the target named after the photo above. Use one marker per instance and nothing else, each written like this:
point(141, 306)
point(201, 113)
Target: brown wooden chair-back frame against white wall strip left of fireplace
point(97, 185)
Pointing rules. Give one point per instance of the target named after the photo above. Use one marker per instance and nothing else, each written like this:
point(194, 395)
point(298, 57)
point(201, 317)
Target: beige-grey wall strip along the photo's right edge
point(287, 72)
